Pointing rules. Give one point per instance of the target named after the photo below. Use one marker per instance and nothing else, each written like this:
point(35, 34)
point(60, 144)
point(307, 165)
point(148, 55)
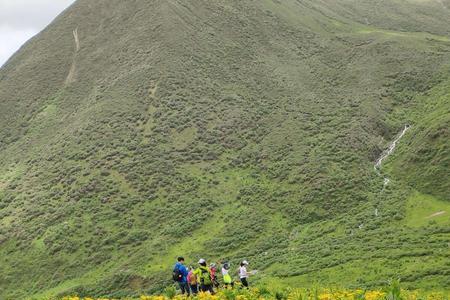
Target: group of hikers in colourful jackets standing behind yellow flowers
point(205, 278)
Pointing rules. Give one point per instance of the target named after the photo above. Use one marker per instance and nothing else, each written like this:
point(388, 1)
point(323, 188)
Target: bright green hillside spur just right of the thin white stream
point(424, 161)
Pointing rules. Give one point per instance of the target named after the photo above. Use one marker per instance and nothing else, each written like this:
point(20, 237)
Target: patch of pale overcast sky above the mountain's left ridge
point(22, 19)
